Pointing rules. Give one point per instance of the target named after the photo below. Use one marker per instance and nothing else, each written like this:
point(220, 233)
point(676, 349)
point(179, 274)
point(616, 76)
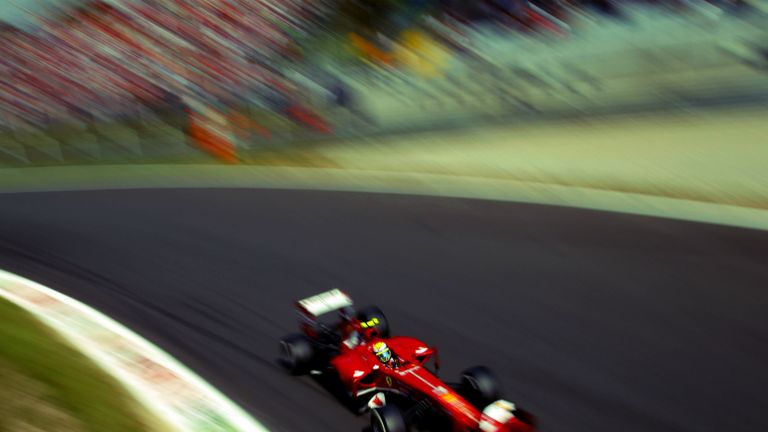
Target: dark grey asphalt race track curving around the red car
point(594, 321)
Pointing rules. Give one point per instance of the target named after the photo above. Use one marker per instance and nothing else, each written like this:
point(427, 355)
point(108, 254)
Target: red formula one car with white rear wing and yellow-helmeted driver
point(395, 378)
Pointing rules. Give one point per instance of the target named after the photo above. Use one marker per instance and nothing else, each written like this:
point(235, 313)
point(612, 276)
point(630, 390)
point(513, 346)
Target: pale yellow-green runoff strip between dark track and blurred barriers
point(704, 166)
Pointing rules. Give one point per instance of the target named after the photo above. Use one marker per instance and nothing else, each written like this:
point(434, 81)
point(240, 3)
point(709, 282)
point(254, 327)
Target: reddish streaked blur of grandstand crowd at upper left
point(110, 59)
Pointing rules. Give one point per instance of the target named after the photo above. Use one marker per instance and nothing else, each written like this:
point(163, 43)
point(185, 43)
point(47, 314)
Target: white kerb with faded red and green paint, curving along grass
point(182, 399)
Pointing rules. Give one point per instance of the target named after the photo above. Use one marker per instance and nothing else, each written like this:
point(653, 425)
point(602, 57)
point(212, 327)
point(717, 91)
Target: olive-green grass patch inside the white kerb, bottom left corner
point(47, 385)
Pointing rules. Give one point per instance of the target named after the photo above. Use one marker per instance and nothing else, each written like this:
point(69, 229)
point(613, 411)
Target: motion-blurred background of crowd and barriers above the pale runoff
point(176, 80)
